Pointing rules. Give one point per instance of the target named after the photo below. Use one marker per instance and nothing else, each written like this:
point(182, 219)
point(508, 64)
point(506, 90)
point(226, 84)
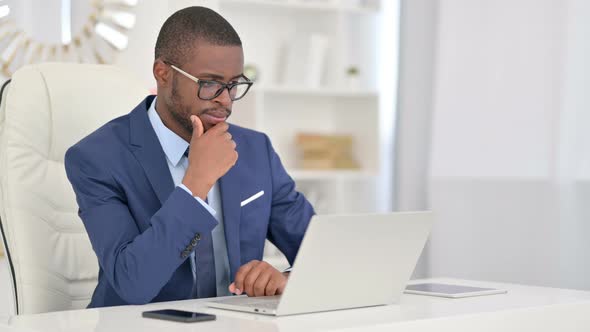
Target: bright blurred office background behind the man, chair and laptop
point(475, 109)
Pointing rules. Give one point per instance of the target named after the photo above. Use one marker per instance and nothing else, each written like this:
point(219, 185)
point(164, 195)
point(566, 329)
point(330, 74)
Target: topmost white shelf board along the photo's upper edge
point(304, 5)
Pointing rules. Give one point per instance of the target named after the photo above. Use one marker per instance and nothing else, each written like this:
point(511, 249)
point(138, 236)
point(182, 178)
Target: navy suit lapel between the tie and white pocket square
point(230, 200)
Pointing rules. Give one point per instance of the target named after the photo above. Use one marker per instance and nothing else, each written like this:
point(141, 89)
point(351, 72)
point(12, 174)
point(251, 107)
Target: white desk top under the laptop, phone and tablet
point(523, 308)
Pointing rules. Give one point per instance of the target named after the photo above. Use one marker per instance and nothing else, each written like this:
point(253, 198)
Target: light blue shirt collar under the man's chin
point(172, 144)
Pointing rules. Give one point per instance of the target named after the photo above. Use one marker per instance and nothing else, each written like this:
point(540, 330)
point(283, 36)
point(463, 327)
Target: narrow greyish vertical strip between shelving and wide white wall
point(418, 23)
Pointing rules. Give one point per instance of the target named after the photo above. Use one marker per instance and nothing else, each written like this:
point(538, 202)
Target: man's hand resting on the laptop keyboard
point(258, 278)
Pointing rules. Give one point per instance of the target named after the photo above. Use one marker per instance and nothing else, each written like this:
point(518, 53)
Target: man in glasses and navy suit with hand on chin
point(176, 202)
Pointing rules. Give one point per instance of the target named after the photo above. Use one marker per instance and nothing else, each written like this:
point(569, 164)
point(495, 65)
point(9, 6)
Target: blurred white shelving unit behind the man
point(278, 38)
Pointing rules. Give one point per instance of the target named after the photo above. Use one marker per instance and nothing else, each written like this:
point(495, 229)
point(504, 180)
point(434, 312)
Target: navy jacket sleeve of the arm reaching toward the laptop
point(290, 210)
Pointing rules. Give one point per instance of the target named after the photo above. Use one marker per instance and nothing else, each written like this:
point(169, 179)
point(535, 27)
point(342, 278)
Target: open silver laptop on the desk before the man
point(346, 261)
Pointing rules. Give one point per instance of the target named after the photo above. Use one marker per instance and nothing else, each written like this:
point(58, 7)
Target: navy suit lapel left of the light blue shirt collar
point(147, 149)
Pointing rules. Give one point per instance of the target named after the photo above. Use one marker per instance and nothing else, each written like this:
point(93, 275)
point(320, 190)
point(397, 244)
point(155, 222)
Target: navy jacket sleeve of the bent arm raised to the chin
point(137, 265)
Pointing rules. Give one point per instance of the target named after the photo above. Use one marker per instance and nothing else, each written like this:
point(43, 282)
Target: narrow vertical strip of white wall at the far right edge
point(573, 169)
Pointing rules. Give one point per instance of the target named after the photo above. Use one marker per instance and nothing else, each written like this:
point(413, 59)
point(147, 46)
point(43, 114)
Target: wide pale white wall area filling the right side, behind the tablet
point(508, 139)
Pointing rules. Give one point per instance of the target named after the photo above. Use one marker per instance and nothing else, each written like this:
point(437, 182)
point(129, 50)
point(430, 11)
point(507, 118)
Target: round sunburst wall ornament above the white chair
point(102, 36)
